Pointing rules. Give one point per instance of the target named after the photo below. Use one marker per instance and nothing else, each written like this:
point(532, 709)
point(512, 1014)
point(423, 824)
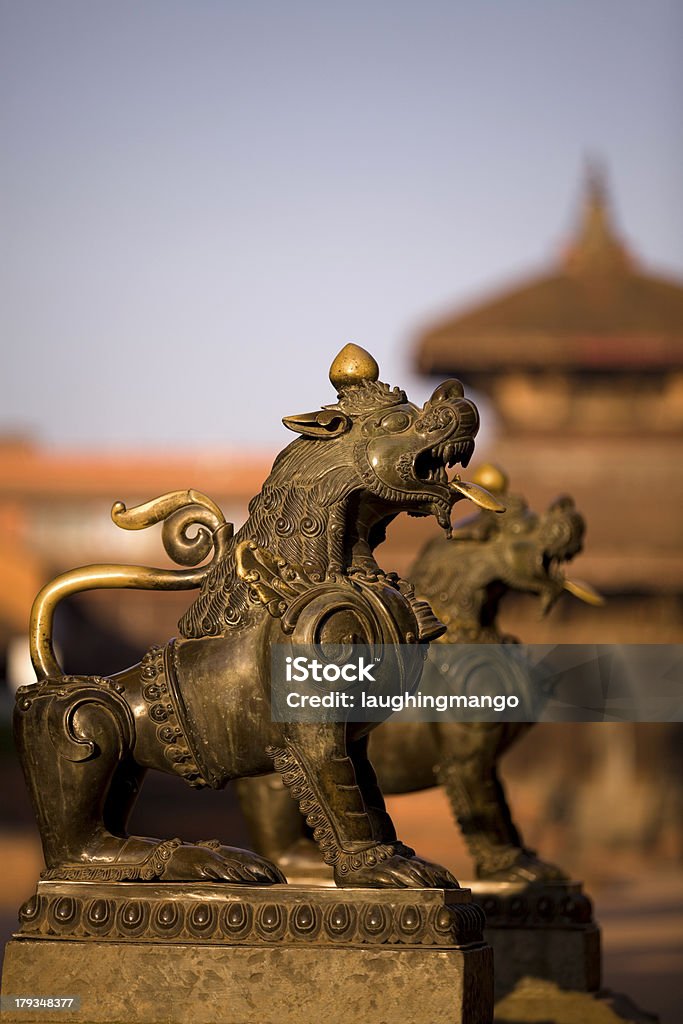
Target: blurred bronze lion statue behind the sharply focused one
point(464, 579)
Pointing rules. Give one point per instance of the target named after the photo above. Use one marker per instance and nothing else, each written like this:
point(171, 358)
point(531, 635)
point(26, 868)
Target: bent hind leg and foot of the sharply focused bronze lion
point(76, 739)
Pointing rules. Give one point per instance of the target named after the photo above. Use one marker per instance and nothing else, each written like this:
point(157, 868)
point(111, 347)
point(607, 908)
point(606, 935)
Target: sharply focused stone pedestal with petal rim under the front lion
point(228, 955)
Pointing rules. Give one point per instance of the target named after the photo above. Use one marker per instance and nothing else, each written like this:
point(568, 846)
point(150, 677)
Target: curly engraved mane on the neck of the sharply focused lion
point(300, 516)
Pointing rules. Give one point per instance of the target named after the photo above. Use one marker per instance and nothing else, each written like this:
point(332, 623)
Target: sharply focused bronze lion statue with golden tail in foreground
point(302, 570)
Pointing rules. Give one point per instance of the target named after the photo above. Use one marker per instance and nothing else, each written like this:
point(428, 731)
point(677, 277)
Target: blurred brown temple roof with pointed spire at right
point(595, 311)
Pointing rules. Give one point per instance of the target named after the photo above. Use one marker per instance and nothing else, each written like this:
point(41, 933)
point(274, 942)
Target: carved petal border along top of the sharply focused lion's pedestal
point(237, 922)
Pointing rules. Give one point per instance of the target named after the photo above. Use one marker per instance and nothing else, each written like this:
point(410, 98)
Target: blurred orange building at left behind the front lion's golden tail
point(55, 515)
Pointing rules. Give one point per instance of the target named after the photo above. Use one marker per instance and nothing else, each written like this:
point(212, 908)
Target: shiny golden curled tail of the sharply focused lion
point(180, 511)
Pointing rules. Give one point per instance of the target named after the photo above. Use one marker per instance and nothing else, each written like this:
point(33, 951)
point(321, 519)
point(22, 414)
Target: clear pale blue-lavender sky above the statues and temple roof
point(203, 201)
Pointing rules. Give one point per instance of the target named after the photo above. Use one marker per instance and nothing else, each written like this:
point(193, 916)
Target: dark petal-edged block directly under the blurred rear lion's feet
point(543, 931)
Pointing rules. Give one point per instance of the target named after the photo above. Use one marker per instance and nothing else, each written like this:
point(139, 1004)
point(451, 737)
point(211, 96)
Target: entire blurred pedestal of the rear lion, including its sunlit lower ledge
point(547, 956)
